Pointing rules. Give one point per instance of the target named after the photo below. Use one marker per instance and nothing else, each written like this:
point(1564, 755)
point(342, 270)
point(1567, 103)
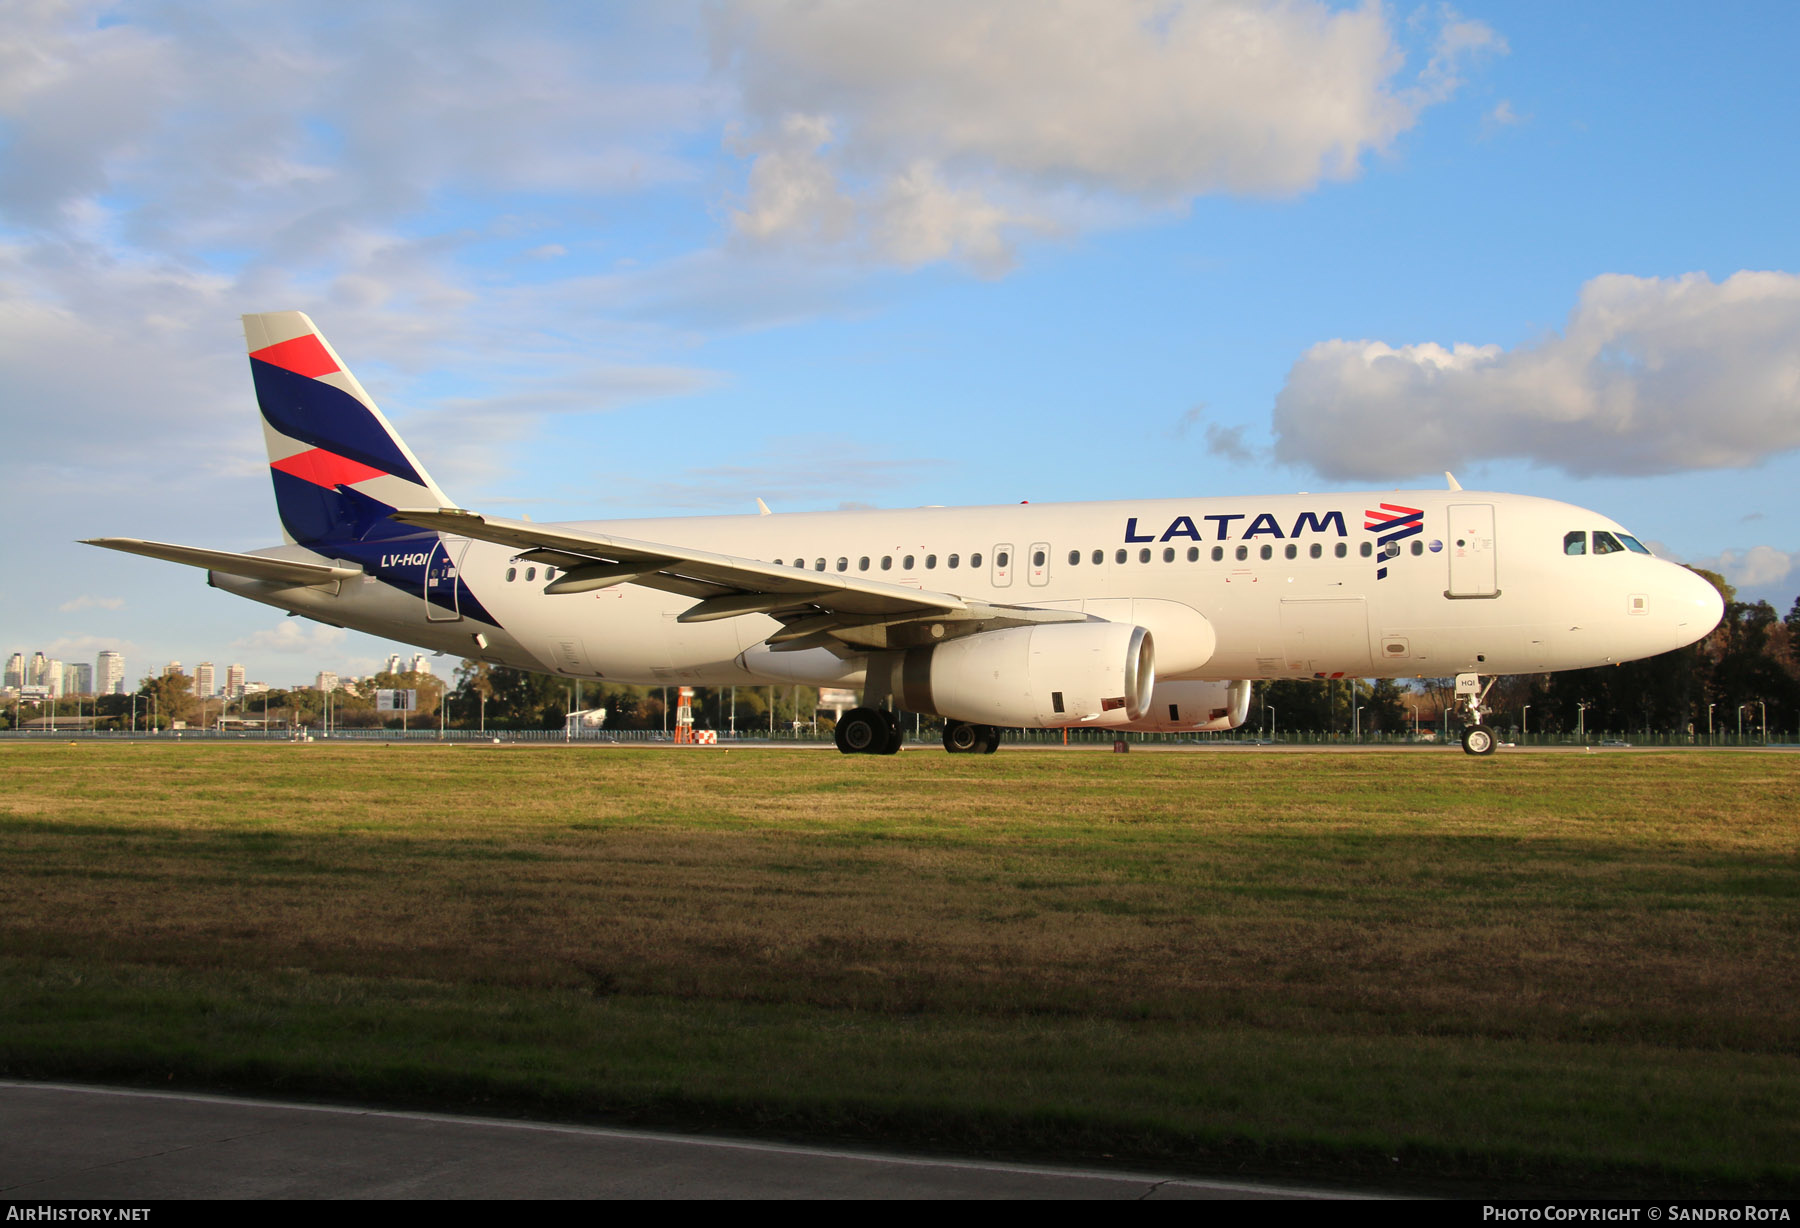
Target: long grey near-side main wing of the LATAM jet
point(818, 608)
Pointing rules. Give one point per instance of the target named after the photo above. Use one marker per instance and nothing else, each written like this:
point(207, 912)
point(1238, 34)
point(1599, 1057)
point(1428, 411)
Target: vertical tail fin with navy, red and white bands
point(336, 462)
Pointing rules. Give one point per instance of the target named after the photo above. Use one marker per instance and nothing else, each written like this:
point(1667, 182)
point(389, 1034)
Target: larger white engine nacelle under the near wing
point(1034, 678)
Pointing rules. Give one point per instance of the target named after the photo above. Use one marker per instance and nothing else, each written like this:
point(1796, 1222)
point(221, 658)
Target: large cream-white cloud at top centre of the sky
point(940, 129)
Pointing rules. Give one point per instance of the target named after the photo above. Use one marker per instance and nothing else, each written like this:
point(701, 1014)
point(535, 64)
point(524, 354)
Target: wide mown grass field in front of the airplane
point(1417, 970)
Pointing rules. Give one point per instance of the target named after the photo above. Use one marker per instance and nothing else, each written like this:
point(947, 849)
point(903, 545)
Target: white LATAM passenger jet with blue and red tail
point(1140, 615)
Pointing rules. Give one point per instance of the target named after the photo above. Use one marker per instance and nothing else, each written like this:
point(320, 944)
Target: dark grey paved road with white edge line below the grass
point(67, 1142)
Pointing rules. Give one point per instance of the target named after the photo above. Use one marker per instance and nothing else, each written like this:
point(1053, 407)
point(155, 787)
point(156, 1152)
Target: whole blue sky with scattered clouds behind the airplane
point(669, 260)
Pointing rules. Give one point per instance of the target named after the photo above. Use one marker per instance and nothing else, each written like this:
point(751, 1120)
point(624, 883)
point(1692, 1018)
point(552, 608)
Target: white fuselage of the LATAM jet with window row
point(1255, 588)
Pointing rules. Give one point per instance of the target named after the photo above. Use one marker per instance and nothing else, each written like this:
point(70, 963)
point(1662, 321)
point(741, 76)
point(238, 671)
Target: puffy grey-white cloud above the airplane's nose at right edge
point(1651, 375)
